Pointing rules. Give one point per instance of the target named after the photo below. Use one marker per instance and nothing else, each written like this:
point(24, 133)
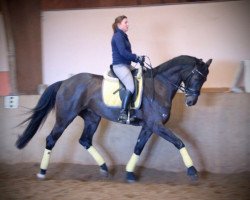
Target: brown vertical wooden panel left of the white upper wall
point(25, 22)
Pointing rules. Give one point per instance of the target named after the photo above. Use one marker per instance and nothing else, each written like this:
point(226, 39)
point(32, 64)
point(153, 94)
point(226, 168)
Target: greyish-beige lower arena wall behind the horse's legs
point(215, 131)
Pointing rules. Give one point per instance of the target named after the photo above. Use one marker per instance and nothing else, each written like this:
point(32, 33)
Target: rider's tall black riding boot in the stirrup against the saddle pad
point(125, 106)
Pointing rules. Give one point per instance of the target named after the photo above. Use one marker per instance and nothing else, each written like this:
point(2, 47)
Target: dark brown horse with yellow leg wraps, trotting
point(81, 95)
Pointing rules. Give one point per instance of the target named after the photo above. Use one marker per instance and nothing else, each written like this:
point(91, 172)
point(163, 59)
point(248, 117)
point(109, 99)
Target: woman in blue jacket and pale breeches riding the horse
point(122, 56)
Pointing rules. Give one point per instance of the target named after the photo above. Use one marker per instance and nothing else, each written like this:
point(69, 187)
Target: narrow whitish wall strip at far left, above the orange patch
point(4, 66)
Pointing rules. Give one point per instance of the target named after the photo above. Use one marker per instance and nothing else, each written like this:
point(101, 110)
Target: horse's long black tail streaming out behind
point(45, 104)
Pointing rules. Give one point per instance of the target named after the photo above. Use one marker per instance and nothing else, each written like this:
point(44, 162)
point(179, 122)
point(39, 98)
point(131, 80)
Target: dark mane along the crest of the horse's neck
point(177, 61)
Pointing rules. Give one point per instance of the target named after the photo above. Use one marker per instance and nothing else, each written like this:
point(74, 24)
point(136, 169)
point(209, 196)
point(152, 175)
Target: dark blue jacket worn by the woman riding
point(121, 49)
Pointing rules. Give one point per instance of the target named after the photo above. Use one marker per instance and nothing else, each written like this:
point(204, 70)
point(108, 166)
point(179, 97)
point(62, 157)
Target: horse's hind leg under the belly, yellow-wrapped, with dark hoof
point(91, 122)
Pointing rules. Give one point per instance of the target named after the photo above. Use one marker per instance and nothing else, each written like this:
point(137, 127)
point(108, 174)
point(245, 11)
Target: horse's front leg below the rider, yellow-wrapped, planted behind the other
point(141, 141)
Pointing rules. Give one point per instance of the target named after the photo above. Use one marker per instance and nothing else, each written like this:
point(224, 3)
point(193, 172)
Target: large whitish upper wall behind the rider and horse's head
point(79, 40)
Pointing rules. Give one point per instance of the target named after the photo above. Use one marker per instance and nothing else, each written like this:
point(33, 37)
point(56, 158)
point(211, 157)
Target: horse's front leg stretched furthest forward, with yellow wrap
point(168, 135)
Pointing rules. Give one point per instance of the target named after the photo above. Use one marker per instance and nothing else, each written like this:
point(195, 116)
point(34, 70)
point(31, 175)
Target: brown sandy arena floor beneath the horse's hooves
point(73, 181)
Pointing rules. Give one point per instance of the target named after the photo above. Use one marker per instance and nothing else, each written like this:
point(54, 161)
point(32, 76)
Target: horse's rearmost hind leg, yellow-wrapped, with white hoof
point(62, 121)
